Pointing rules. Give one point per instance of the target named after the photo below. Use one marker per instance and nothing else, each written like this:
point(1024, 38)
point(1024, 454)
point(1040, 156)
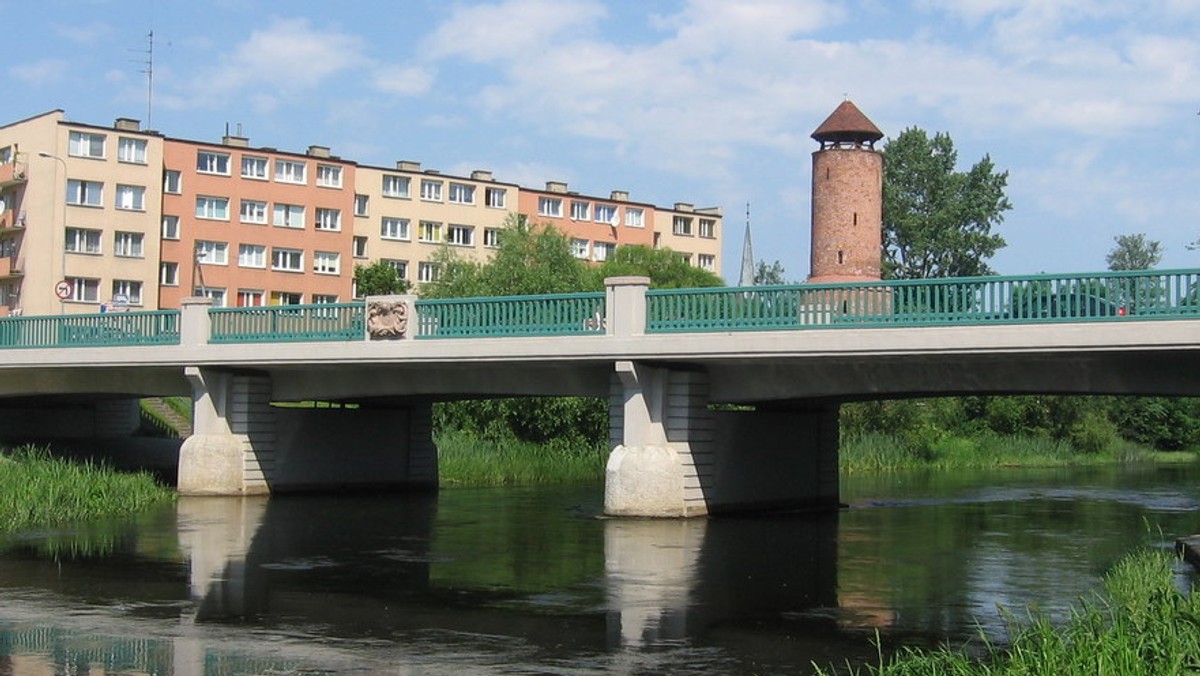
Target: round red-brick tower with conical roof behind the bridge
point(848, 199)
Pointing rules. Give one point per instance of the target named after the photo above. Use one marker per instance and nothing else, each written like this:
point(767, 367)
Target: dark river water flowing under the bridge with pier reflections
point(533, 582)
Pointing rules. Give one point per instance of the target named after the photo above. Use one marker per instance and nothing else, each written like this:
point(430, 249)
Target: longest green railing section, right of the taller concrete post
point(1124, 296)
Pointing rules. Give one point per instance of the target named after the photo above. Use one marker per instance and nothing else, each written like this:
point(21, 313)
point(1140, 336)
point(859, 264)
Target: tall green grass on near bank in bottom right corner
point(1141, 626)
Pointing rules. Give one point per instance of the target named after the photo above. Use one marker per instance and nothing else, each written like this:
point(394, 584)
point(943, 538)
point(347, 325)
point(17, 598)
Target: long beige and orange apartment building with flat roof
point(118, 218)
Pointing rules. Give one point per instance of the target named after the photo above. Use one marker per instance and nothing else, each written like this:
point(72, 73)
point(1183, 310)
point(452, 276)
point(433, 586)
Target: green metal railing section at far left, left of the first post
point(103, 330)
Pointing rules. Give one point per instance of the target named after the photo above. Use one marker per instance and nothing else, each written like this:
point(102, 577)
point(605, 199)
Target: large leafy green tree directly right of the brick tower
point(938, 222)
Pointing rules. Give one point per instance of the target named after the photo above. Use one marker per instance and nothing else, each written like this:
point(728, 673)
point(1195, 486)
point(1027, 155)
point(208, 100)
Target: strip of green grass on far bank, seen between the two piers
point(466, 460)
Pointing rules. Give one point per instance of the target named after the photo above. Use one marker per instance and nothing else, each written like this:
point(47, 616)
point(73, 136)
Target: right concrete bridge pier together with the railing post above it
point(675, 456)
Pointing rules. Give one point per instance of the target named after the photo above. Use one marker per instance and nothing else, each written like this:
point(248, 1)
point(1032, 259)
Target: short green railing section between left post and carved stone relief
point(289, 324)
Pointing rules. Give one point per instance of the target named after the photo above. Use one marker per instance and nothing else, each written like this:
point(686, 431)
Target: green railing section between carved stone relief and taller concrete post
point(563, 314)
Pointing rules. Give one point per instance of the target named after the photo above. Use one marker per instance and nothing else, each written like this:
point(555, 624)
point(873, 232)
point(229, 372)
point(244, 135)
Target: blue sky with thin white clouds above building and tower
point(1091, 106)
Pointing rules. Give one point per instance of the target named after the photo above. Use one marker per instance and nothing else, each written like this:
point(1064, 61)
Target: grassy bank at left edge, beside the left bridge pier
point(39, 490)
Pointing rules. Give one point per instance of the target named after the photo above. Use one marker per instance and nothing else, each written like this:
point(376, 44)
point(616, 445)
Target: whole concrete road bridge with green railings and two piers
point(663, 357)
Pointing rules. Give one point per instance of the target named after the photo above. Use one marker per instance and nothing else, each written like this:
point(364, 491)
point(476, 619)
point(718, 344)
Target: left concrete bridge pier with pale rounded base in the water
point(244, 445)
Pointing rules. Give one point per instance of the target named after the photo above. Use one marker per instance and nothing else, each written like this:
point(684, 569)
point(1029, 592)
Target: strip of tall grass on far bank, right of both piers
point(886, 453)
